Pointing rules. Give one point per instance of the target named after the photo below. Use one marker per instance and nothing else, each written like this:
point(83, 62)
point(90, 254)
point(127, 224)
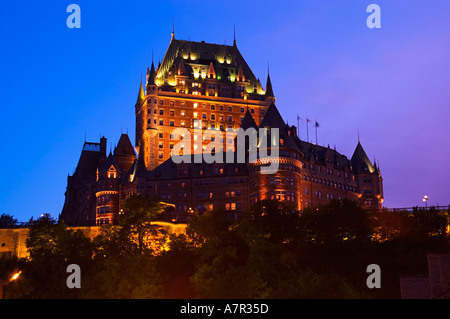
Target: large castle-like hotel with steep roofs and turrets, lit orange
point(207, 86)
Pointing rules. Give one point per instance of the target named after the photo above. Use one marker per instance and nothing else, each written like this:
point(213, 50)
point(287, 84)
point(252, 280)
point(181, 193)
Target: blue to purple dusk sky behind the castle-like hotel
point(391, 84)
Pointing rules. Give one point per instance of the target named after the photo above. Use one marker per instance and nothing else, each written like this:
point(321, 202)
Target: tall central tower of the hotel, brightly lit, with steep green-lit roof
point(197, 85)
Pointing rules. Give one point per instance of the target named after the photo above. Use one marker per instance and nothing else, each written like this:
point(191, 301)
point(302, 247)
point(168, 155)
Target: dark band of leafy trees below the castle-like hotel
point(272, 251)
